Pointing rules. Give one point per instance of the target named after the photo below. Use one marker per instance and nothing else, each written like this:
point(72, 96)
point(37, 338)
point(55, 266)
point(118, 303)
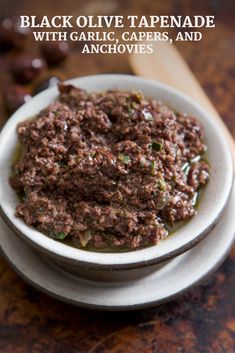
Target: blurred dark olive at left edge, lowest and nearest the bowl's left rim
point(14, 96)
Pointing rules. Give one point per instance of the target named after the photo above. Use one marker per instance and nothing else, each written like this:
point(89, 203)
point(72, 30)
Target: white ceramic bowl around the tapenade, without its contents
point(214, 199)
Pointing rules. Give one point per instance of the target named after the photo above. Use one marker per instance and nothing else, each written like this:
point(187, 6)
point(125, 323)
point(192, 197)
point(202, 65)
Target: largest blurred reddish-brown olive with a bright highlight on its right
point(26, 68)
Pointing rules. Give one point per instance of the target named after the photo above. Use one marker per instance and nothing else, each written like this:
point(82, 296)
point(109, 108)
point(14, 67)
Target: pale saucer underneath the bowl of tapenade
point(171, 280)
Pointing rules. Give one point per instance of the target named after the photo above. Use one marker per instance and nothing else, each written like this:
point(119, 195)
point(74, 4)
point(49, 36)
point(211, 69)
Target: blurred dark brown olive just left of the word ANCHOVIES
point(54, 52)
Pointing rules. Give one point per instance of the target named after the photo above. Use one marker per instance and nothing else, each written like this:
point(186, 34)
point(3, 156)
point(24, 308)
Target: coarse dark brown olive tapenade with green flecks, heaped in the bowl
point(111, 170)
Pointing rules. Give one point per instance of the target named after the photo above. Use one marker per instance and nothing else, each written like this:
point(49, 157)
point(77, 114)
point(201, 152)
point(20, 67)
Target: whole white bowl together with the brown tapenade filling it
point(113, 172)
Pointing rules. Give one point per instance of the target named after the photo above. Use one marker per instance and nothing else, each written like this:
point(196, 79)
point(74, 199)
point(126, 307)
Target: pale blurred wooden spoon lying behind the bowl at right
point(168, 66)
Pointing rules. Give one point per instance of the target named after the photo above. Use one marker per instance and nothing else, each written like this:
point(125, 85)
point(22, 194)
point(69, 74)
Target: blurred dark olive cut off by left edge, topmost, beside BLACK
point(11, 34)
